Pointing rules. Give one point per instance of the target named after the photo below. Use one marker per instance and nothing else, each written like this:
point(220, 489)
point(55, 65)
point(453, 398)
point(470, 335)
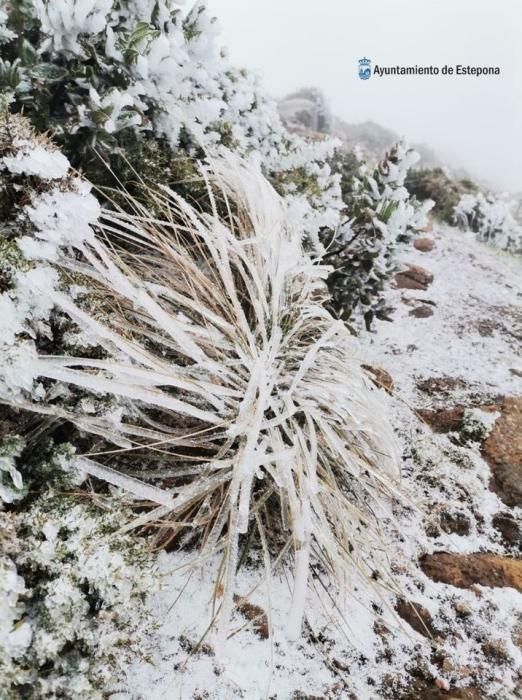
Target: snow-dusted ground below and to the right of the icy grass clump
point(357, 647)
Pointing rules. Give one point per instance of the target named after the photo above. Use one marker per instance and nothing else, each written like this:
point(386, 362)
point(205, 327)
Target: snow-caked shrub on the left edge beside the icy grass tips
point(39, 197)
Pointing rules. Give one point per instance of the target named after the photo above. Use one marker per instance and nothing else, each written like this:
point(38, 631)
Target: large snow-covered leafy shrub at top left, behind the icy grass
point(145, 85)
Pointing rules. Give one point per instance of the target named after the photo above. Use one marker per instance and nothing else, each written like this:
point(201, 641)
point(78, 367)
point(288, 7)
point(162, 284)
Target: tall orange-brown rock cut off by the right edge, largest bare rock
point(503, 452)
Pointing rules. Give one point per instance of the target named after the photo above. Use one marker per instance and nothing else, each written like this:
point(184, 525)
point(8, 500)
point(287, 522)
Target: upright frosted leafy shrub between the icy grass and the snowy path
point(380, 215)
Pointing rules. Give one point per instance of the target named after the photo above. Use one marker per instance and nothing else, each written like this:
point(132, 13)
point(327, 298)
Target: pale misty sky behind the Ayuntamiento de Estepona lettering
point(474, 122)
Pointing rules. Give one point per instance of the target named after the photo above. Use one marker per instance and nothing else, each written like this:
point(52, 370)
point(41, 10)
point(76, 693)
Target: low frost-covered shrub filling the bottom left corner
point(71, 593)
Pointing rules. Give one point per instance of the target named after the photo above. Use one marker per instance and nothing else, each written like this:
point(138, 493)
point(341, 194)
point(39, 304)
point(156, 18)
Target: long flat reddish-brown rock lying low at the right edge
point(464, 570)
